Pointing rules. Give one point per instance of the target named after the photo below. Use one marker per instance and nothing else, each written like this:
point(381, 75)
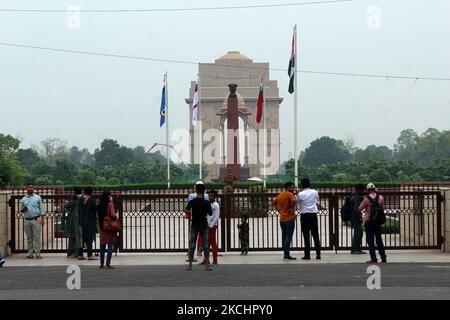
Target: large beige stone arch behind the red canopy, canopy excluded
point(215, 77)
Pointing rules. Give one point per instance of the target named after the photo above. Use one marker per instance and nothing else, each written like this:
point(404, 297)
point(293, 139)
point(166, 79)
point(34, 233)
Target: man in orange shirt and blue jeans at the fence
point(285, 203)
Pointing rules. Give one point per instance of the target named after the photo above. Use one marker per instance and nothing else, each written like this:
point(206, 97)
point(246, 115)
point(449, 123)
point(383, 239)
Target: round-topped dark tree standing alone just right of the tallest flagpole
point(325, 151)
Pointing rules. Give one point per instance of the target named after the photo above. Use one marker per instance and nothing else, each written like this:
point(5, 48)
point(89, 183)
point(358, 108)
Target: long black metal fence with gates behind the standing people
point(156, 223)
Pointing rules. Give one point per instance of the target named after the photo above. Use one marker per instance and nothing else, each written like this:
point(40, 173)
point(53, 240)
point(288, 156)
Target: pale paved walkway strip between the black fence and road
point(254, 258)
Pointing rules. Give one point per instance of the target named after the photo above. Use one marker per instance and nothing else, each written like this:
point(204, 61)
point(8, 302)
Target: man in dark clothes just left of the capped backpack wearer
point(354, 201)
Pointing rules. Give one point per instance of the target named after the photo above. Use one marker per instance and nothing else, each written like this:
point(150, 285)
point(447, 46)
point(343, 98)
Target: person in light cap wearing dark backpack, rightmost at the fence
point(373, 206)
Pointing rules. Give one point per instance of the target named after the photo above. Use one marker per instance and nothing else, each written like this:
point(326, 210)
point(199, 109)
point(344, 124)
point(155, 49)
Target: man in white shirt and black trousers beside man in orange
point(308, 199)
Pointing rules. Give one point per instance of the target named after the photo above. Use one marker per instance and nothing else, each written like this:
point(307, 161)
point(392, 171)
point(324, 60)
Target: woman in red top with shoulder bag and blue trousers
point(107, 238)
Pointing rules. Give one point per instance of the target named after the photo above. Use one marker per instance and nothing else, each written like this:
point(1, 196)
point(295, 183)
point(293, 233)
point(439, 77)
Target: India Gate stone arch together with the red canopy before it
point(228, 90)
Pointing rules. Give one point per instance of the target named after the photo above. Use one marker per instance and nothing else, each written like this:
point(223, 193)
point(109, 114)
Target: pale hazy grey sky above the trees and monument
point(83, 99)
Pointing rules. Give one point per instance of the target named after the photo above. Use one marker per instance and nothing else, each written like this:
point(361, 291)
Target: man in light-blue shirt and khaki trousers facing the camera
point(33, 209)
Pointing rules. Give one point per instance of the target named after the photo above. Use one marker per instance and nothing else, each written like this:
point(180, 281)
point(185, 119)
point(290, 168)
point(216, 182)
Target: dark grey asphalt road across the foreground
point(231, 282)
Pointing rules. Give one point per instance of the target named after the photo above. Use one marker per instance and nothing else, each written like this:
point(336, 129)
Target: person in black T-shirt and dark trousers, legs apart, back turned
point(200, 209)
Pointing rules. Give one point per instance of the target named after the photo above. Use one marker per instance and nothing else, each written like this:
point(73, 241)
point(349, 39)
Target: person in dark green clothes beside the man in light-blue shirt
point(73, 231)
